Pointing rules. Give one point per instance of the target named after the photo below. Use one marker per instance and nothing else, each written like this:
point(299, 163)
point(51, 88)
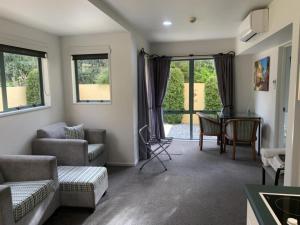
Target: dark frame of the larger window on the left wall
point(20, 51)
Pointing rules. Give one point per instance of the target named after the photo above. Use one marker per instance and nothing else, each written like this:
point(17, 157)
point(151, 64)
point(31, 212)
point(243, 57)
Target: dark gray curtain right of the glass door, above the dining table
point(225, 74)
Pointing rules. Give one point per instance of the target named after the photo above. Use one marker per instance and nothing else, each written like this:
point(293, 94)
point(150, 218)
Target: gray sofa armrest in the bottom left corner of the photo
point(6, 211)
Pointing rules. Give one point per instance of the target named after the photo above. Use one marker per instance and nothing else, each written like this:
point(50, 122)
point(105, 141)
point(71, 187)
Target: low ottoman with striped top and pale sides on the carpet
point(82, 186)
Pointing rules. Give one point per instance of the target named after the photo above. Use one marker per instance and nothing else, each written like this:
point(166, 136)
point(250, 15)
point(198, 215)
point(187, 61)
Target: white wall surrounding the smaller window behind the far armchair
point(118, 118)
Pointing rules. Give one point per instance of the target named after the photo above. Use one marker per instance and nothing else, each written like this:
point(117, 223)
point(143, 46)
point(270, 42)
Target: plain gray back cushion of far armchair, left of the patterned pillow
point(52, 131)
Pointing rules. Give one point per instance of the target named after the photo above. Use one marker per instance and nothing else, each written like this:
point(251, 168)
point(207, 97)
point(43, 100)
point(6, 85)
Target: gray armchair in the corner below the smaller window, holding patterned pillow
point(71, 152)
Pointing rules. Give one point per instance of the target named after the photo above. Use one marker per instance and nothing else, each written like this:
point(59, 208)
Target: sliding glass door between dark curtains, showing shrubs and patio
point(192, 88)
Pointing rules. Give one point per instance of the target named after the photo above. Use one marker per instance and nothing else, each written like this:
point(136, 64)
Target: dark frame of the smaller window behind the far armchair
point(99, 56)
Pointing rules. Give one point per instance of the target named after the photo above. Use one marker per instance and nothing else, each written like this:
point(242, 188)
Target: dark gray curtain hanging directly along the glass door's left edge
point(162, 71)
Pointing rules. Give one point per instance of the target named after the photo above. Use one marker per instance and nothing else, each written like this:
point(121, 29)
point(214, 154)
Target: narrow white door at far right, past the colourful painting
point(283, 93)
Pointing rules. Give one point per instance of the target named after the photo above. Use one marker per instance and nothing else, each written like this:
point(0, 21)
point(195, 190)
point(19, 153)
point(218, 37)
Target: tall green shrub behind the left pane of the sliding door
point(174, 98)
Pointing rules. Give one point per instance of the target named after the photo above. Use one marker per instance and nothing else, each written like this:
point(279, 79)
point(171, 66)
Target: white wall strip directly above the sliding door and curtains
point(193, 47)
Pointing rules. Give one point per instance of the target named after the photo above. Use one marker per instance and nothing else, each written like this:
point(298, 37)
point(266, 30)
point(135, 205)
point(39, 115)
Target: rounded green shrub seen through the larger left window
point(33, 88)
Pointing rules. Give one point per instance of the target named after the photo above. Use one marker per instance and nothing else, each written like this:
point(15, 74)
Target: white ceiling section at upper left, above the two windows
point(61, 17)
